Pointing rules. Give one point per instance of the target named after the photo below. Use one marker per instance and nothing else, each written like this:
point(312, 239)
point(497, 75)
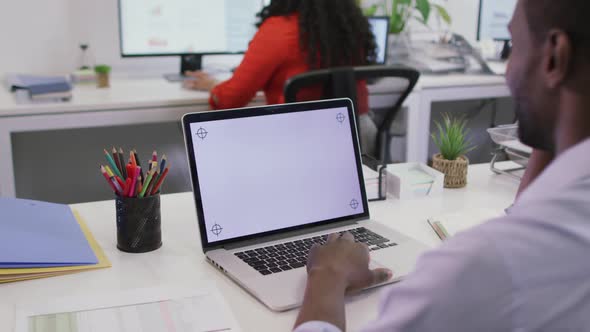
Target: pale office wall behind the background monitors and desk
point(42, 36)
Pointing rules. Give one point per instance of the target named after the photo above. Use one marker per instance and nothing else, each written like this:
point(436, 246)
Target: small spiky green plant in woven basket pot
point(452, 142)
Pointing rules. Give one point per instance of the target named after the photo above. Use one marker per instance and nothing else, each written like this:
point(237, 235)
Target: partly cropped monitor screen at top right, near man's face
point(494, 17)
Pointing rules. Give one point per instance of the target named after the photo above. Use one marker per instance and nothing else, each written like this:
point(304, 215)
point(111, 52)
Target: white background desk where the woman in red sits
point(155, 101)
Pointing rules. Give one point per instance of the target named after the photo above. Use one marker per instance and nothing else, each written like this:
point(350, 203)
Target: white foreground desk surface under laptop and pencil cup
point(181, 261)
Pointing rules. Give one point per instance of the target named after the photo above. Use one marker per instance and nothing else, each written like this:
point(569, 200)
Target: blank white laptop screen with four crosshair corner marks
point(266, 173)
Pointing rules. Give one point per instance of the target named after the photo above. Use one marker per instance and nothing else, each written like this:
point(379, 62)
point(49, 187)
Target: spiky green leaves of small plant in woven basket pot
point(451, 138)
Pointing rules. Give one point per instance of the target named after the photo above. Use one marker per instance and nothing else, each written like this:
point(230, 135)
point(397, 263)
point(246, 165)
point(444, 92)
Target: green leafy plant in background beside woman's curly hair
point(402, 11)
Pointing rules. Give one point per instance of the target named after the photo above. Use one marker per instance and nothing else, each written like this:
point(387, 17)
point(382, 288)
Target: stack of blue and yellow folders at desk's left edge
point(39, 239)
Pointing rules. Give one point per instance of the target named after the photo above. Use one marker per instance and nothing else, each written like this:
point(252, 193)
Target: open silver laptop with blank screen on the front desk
point(270, 182)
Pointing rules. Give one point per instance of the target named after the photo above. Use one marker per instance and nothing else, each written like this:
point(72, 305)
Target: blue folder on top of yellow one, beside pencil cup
point(37, 234)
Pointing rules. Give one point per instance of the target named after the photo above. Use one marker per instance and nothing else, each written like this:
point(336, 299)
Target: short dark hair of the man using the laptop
point(571, 16)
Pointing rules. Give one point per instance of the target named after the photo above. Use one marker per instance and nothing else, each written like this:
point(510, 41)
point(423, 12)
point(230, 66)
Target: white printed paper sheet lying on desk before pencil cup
point(161, 309)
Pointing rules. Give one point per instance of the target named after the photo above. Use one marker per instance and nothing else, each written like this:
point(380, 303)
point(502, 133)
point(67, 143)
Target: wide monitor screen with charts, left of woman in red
point(173, 27)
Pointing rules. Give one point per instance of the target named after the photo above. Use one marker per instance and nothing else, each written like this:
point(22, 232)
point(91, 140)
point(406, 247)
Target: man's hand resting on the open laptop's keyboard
point(346, 261)
